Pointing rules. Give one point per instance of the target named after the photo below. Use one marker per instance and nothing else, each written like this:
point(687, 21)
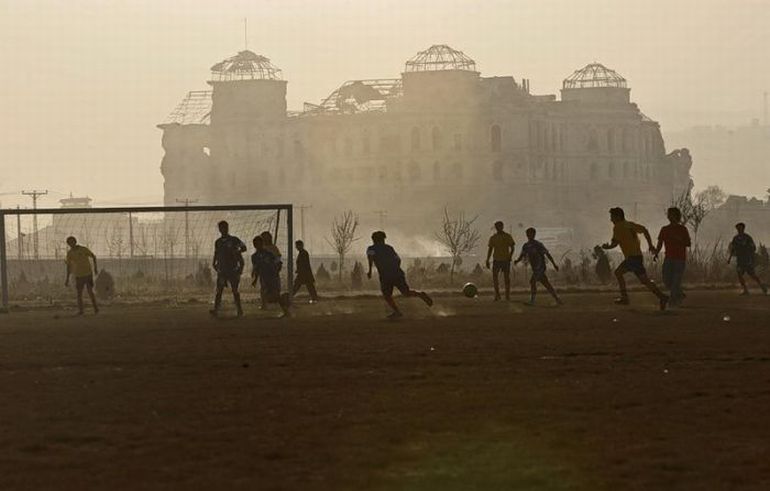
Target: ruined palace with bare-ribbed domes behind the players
point(439, 136)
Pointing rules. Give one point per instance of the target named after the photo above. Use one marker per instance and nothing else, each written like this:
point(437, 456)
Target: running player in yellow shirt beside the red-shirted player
point(626, 235)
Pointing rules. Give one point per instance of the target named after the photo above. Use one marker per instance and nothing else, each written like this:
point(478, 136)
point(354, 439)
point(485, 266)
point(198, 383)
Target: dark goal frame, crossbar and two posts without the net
point(4, 285)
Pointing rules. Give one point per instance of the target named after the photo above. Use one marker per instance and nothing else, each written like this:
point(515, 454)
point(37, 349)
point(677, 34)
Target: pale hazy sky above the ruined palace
point(83, 83)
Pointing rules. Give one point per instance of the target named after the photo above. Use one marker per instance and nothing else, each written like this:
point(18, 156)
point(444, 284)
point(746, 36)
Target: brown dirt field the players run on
point(469, 395)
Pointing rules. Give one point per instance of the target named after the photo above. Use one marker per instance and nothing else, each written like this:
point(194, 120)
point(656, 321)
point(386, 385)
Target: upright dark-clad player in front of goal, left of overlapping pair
point(228, 263)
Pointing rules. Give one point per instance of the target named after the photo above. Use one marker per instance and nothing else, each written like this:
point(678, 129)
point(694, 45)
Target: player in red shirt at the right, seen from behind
point(676, 238)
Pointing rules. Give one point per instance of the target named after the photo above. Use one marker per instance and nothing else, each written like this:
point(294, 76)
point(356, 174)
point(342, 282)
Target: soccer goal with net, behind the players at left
point(144, 253)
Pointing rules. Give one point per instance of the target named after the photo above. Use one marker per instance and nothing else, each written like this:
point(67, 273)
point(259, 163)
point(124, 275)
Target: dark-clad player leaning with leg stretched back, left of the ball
point(391, 275)
